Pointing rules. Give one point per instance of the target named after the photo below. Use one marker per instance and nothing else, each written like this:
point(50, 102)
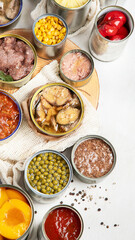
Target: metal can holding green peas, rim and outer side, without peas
point(41, 197)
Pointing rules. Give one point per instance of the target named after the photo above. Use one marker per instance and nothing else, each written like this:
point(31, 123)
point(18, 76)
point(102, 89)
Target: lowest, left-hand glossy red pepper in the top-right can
point(107, 31)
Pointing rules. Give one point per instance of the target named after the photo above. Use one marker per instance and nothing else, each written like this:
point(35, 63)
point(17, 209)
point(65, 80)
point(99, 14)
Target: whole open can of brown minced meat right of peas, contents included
point(93, 158)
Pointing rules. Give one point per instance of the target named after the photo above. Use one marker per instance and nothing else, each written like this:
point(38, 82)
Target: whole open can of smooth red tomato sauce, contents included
point(61, 221)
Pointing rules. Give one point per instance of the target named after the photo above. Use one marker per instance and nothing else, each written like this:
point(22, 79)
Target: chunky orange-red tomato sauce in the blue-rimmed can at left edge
point(9, 116)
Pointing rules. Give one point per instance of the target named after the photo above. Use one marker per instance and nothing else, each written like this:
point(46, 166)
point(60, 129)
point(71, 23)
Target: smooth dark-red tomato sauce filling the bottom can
point(62, 223)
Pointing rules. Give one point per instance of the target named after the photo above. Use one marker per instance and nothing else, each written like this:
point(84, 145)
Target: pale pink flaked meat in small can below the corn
point(76, 66)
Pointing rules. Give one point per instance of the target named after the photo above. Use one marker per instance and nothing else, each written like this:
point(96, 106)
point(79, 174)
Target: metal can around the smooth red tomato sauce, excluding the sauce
point(41, 230)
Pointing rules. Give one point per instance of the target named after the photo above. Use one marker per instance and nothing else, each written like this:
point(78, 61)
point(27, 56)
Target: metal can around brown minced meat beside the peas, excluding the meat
point(82, 177)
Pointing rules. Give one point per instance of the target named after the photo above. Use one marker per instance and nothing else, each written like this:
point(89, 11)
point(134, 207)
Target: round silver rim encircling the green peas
point(46, 196)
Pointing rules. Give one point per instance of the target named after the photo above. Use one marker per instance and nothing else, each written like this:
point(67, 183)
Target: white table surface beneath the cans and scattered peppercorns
point(117, 123)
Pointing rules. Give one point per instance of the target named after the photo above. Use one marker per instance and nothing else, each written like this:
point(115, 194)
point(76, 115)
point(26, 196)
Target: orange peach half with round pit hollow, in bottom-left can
point(15, 218)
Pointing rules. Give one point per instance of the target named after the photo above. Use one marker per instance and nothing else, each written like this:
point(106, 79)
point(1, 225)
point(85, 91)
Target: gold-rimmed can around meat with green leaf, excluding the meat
point(23, 81)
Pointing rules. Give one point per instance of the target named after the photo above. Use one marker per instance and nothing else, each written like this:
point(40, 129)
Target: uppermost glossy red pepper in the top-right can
point(115, 15)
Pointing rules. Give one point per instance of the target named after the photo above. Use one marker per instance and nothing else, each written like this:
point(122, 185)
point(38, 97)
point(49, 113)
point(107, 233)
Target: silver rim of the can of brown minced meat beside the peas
point(87, 138)
